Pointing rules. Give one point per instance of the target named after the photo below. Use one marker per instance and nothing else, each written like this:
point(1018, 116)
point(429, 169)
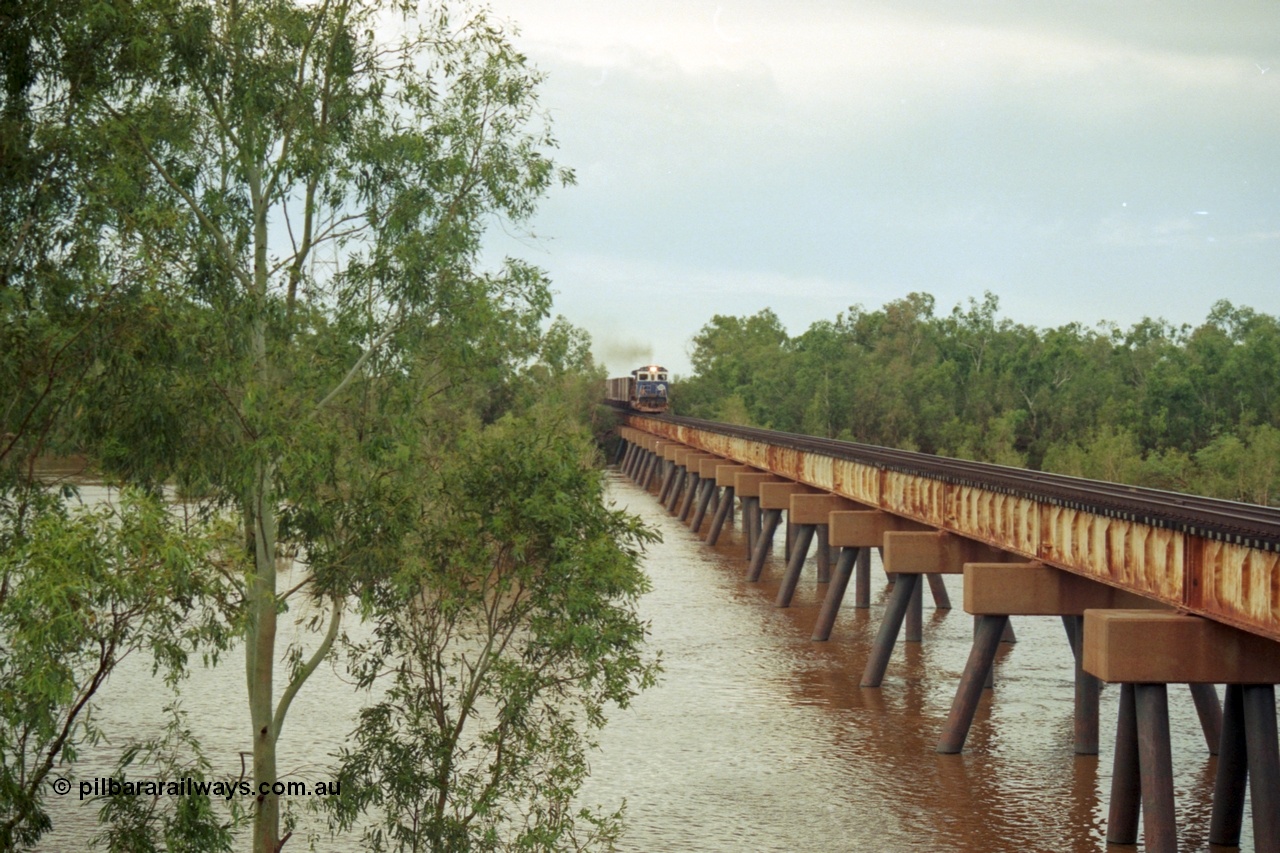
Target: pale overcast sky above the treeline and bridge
point(1085, 162)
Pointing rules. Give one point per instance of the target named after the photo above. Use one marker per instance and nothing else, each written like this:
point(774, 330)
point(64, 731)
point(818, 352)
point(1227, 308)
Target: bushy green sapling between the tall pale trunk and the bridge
point(508, 631)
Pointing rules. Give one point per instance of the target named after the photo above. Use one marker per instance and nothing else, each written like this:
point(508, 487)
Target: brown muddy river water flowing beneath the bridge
point(760, 740)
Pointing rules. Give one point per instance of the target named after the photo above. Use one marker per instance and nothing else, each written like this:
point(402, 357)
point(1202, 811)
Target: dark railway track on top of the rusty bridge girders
point(1245, 524)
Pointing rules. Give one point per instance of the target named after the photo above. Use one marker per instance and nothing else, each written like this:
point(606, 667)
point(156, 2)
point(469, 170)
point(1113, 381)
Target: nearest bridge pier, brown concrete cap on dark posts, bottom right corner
point(1145, 651)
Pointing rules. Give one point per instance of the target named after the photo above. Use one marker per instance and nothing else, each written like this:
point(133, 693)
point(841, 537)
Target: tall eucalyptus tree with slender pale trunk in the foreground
point(303, 190)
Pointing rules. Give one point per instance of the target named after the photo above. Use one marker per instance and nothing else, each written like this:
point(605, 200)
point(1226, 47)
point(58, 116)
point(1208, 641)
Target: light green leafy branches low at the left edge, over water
point(80, 592)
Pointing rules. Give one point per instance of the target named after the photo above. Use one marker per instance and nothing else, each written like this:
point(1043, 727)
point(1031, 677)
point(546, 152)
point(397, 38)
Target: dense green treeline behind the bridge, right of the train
point(1173, 408)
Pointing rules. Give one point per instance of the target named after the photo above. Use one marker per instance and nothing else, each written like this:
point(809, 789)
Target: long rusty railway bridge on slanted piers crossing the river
point(1154, 589)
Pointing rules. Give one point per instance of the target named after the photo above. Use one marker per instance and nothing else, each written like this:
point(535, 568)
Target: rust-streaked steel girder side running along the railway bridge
point(1209, 558)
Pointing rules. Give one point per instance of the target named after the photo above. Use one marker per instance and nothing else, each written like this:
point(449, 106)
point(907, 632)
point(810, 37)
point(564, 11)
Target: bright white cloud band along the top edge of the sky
point(860, 53)
